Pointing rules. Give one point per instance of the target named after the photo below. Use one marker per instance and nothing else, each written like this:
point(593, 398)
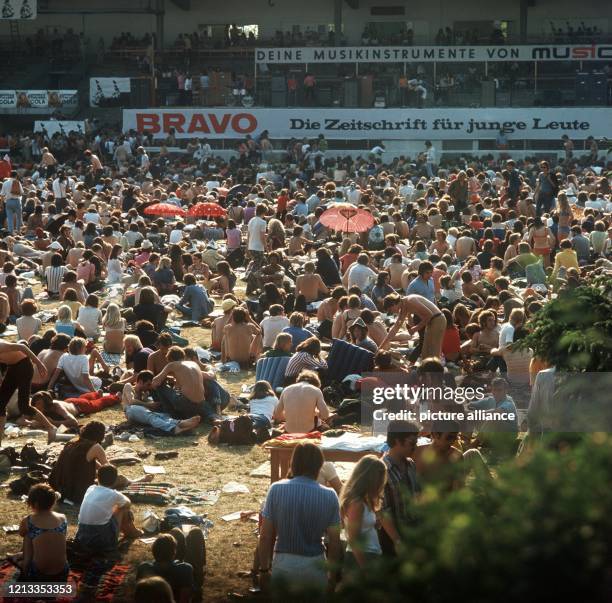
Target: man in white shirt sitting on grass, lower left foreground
point(104, 514)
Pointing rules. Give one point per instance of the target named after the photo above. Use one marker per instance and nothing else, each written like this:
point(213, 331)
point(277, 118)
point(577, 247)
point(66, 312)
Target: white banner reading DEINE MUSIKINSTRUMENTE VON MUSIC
point(431, 54)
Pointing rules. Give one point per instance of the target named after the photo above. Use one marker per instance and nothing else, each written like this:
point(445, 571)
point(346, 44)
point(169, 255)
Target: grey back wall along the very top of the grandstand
point(426, 17)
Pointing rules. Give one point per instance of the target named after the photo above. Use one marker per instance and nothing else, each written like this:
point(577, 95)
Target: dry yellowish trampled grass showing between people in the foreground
point(230, 545)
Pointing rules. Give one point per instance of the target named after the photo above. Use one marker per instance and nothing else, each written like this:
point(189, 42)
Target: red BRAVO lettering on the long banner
point(240, 123)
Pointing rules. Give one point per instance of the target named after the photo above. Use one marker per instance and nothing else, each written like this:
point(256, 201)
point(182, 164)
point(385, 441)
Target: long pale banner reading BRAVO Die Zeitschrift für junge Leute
point(373, 124)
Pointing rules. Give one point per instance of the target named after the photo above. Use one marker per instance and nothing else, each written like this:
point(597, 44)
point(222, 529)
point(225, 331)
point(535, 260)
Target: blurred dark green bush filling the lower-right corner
point(541, 531)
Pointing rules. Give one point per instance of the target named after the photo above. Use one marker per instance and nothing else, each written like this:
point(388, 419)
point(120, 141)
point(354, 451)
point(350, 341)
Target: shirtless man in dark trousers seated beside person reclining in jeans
point(193, 398)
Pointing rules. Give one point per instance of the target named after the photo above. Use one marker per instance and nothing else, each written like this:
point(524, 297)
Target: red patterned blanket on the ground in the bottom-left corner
point(101, 580)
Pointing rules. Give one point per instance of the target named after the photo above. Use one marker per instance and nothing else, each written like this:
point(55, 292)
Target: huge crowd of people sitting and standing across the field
point(440, 287)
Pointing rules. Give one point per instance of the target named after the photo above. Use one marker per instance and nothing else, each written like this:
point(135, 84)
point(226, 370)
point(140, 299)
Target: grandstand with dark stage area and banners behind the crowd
point(528, 60)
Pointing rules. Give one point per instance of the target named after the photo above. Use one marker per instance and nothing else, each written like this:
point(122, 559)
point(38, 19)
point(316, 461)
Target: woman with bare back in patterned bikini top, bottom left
point(44, 539)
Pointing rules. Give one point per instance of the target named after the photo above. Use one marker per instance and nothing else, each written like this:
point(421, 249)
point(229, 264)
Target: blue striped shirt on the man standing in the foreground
point(301, 511)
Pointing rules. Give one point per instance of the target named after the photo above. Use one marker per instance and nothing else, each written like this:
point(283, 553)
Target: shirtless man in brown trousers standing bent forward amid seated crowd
point(430, 319)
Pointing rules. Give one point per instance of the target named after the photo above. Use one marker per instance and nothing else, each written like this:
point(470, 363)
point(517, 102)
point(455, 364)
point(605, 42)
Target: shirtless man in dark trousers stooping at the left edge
point(20, 361)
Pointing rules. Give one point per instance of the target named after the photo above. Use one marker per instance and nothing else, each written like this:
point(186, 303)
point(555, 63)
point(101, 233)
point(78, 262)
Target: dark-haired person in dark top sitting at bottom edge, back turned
point(178, 574)
